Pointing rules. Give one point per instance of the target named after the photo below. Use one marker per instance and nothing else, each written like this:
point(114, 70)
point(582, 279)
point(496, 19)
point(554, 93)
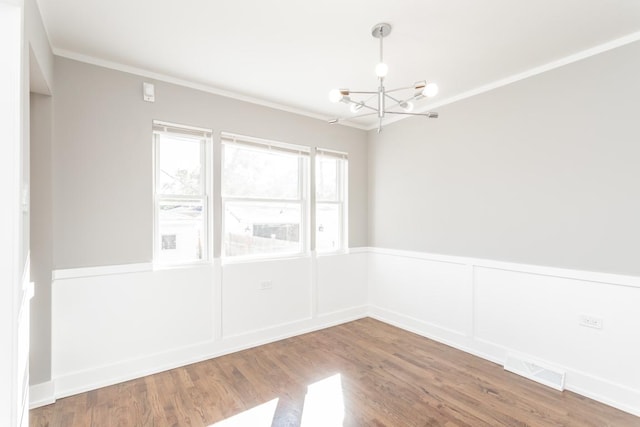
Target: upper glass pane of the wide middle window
point(260, 174)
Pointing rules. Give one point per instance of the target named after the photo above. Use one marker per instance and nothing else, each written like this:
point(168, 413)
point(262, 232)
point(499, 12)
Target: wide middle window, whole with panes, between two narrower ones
point(264, 197)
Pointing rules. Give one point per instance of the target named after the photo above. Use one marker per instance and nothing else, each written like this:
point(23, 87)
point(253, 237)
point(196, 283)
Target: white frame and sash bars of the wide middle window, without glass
point(303, 154)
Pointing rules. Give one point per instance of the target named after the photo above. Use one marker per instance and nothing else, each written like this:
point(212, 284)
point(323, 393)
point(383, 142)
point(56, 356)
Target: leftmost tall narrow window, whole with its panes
point(182, 183)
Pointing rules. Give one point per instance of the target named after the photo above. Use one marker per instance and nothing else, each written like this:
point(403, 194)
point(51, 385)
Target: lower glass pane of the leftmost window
point(182, 230)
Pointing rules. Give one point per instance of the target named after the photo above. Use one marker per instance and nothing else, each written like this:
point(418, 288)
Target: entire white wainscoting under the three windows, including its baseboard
point(112, 324)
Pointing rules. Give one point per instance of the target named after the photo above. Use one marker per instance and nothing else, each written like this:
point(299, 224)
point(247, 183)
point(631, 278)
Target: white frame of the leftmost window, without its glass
point(205, 138)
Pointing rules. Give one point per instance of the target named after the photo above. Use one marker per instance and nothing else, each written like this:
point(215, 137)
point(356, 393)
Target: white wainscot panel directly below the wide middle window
point(264, 294)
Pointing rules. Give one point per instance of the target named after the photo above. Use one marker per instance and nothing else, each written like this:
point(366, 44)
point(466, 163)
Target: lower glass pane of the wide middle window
point(253, 228)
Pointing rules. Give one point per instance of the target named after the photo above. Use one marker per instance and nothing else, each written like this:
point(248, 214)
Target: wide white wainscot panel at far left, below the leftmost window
point(108, 320)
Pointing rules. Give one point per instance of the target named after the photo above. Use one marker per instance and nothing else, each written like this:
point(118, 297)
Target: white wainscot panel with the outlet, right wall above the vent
point(539, 315)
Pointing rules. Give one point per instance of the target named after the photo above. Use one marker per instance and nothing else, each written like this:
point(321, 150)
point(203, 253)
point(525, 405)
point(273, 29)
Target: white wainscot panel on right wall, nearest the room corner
point(437, 294)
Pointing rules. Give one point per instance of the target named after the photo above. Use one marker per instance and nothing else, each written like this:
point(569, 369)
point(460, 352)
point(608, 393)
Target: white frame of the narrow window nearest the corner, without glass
point(342, 202)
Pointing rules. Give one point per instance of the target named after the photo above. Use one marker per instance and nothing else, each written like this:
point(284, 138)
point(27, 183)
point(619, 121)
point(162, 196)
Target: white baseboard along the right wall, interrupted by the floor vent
point(599, 389)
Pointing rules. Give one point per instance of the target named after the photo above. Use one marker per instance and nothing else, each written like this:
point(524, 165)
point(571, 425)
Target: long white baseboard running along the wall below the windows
point(79, 382)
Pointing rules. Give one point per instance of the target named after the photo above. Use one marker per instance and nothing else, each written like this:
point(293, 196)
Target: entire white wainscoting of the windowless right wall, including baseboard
point(491, 308)
